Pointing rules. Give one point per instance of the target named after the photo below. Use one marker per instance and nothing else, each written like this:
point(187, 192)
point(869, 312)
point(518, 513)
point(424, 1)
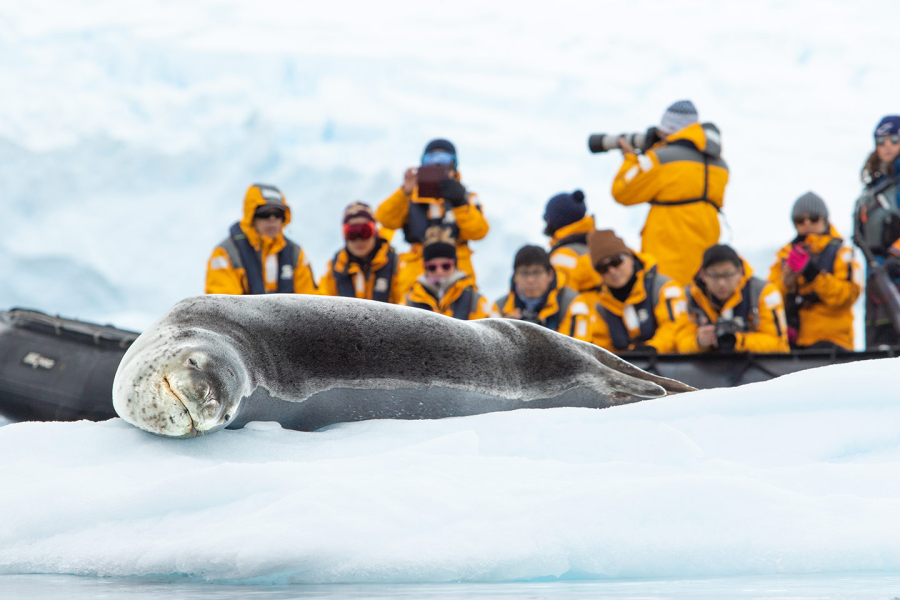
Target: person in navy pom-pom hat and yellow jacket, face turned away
point(567, 225)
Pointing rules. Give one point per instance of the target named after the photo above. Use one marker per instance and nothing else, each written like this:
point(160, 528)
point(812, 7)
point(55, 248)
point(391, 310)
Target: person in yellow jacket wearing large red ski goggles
point(366, 267)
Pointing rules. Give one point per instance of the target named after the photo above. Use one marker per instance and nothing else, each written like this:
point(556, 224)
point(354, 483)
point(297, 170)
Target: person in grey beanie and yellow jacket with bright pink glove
point(818, 278)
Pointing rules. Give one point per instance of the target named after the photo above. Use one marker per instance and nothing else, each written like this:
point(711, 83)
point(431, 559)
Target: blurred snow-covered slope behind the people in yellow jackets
point(128, 137)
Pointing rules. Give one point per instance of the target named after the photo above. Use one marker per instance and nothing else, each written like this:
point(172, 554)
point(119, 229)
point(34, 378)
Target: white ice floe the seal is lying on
point(797, 475)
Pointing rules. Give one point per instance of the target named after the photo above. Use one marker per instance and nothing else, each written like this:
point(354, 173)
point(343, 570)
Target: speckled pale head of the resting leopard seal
point(177, 384)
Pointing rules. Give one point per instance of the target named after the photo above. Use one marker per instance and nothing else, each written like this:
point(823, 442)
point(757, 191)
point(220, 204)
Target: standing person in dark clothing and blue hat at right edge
point(878, 226)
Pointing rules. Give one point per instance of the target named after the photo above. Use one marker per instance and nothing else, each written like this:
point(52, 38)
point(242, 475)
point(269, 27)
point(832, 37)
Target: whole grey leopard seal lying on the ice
point(310, 361)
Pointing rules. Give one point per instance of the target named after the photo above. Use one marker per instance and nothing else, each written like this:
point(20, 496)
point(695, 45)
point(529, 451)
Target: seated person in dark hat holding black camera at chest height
point(731, 310)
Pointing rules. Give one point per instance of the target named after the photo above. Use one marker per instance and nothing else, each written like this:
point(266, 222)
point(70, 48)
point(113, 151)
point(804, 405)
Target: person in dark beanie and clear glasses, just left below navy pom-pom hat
point(535, 293)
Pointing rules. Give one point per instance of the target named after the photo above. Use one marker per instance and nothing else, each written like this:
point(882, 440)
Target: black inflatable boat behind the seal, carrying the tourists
point(56, 369)
